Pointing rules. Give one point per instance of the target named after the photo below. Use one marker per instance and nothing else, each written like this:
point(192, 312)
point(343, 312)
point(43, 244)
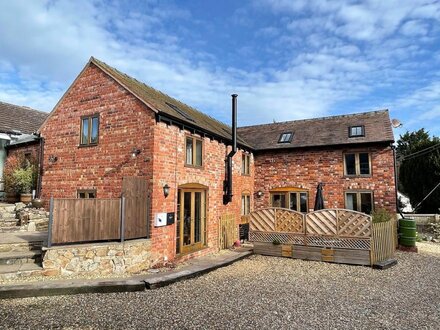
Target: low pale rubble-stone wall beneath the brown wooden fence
point(104, 258)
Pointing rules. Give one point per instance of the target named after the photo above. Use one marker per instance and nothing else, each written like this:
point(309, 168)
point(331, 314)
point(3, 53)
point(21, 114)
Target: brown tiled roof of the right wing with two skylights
point(320, 131)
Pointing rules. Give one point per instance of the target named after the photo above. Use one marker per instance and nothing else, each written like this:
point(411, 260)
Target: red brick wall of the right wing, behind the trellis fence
point(305, 168)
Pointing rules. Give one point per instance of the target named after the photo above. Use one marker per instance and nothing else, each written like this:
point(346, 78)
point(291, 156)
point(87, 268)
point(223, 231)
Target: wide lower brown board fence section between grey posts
point(82, 220)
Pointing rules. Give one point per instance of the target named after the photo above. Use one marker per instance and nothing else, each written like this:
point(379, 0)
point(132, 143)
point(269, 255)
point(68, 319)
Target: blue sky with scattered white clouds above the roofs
point(286, 59)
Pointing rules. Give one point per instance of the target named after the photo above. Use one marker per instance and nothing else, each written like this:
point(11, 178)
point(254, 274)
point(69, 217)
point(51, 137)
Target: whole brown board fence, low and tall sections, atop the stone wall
point(76, 220)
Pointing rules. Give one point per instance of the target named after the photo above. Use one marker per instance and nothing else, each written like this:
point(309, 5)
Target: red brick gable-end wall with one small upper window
point(124, 123)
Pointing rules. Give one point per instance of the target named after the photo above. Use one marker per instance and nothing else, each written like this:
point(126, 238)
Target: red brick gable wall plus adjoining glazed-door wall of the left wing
point(125, 123)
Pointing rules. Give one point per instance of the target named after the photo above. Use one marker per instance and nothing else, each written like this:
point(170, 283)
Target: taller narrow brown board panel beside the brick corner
point(135, 193)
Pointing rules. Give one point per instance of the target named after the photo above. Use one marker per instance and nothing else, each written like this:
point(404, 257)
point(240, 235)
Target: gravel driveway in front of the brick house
point(258, 292)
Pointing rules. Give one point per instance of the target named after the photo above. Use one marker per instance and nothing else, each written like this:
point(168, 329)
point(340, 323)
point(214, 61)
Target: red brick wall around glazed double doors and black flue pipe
point(169, 168)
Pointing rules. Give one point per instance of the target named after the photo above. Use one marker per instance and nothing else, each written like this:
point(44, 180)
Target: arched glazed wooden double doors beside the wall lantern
point(191, 220)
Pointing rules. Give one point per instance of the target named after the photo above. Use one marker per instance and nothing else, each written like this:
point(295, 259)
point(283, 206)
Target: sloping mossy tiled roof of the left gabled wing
point(168, 106)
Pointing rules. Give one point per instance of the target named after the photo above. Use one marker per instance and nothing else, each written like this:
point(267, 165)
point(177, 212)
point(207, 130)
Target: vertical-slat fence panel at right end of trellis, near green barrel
point(383, 241)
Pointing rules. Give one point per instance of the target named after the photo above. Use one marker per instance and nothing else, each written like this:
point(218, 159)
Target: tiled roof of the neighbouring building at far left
point(18, 118)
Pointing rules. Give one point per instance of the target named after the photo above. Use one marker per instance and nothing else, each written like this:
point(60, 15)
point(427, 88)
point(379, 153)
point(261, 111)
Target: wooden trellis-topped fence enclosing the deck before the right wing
point(351, 236)
